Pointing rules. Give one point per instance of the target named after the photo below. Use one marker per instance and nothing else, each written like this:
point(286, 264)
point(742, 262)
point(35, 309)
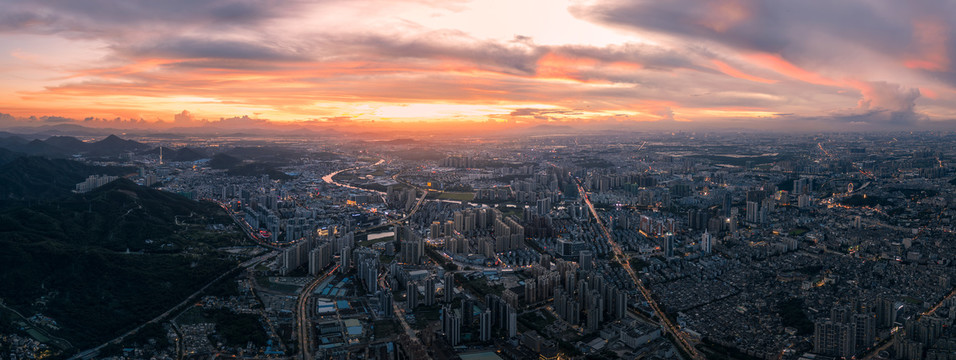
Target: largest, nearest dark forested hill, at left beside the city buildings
point(74, 252)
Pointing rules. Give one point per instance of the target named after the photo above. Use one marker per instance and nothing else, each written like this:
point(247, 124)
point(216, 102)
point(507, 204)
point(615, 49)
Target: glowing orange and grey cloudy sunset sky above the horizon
point(835, 65)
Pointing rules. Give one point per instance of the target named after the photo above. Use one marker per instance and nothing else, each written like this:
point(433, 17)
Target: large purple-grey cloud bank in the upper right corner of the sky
point(855, 38)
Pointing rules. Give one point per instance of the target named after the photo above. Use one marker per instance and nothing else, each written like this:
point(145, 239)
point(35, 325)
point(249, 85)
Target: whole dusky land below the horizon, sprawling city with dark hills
point(539, 246)
